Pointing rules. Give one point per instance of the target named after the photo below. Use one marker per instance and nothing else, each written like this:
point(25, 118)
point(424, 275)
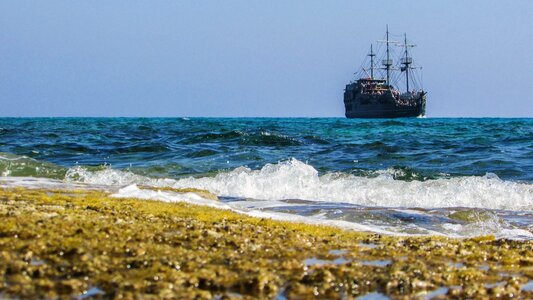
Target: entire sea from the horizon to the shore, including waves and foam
point(453, 177)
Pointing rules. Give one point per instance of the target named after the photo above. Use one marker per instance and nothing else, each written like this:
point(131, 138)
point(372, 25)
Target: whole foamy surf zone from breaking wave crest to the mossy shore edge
point(295, 191)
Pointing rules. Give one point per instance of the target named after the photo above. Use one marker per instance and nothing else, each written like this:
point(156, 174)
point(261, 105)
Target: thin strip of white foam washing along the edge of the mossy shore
point(493, 225)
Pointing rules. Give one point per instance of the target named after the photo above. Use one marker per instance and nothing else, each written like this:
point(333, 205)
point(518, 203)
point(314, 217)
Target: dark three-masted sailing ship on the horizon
point(371, 97)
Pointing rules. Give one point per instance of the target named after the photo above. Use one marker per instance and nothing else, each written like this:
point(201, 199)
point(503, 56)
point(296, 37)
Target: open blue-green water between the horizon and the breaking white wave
point(420, 148)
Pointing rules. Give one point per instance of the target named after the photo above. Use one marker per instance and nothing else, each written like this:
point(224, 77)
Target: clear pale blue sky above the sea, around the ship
point(254, 58)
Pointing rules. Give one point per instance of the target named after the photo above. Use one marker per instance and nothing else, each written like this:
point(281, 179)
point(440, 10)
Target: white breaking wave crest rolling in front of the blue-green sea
point(294, 179)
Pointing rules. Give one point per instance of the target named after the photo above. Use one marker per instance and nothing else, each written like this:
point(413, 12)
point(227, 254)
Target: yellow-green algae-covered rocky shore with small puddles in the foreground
point(64, 243)
